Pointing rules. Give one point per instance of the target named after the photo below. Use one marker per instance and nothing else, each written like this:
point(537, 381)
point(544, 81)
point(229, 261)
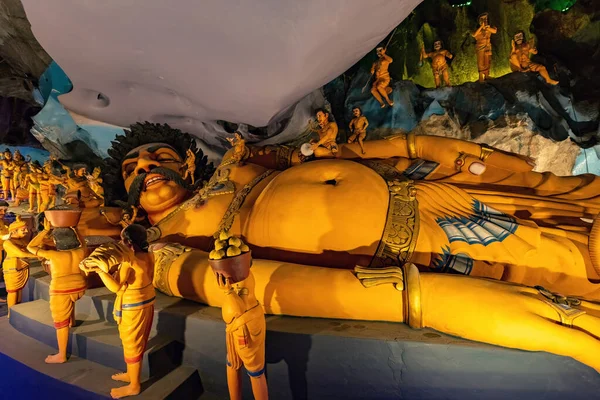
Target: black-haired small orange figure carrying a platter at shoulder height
point(134, 306)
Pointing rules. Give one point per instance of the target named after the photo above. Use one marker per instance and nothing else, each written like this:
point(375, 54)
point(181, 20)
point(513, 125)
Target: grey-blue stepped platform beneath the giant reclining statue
point(307, 358)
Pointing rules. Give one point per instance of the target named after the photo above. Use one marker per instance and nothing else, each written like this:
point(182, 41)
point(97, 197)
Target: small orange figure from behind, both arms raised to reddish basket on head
point(68, 283)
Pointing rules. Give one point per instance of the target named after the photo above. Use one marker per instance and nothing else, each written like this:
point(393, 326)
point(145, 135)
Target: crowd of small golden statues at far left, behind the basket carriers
point(23, 179)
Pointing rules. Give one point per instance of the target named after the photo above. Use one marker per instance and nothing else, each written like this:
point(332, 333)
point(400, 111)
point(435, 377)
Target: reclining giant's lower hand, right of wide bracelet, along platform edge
point(527, 321)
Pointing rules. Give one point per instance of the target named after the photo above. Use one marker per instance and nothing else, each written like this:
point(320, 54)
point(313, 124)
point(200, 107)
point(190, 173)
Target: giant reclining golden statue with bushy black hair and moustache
point(429, 231)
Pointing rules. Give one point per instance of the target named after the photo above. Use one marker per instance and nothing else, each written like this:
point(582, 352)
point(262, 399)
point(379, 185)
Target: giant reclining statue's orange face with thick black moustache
point(153, 169)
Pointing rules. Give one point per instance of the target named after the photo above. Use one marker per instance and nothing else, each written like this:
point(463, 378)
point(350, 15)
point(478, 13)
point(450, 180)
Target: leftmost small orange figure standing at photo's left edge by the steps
point(15, 268)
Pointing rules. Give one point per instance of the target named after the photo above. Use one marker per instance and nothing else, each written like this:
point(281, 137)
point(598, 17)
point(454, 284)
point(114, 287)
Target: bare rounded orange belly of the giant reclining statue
point(329, 205)
